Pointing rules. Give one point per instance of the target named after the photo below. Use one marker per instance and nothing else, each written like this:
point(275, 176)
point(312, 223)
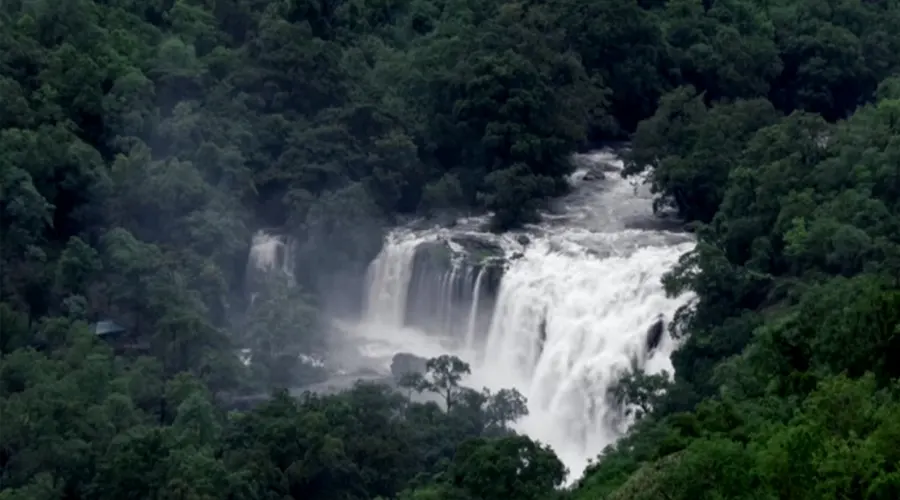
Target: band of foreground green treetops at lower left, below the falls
point(89, 425)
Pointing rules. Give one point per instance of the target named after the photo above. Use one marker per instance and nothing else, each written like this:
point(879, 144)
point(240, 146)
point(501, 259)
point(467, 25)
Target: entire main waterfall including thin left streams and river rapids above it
point(559, 311)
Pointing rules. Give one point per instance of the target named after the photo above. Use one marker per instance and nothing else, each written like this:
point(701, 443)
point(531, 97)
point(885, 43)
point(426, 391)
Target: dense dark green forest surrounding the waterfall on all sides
point(144, 142)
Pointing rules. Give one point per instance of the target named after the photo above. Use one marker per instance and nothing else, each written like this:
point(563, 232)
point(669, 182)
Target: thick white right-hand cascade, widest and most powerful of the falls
point(565, 327)
